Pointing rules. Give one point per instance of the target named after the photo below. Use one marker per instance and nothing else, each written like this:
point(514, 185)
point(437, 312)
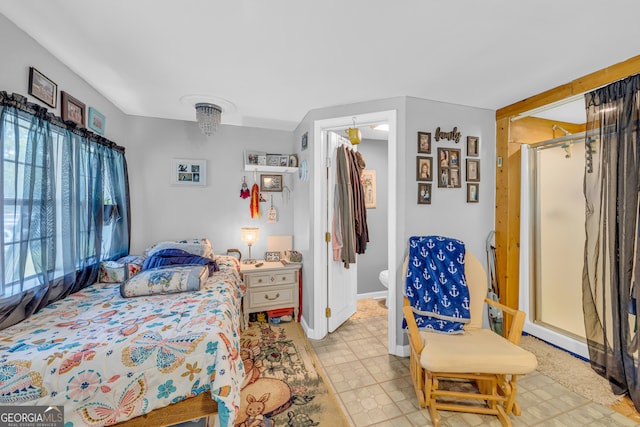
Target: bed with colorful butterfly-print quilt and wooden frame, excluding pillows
point(109, 359)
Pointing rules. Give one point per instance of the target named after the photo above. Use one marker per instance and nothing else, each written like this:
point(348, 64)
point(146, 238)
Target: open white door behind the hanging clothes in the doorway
point(342, 286)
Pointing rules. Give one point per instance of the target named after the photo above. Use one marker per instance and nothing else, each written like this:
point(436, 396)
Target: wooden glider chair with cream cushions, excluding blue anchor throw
point(456, 372)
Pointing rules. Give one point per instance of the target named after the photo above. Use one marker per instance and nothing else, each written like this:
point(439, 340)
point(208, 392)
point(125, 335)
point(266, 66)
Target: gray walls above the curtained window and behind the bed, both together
point(160, 210)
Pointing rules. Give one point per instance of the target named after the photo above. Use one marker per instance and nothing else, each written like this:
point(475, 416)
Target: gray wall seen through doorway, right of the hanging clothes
point(374, 260)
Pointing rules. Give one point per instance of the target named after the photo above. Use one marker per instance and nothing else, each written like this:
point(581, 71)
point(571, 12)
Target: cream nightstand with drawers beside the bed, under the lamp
point(271, 286)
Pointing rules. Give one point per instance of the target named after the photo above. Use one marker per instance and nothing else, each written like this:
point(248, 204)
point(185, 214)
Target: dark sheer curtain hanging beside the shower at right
point(611, 266)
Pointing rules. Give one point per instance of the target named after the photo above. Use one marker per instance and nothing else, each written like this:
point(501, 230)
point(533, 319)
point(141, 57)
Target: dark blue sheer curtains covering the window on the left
point(57, 181)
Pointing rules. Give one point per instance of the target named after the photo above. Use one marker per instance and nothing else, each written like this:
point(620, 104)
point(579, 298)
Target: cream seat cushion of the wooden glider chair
point(476, 351)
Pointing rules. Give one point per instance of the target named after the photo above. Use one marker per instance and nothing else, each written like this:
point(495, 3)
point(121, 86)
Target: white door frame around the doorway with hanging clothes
point(319, 228)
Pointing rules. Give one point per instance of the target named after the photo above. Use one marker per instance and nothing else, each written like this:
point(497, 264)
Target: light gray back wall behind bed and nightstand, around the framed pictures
point(162, 210)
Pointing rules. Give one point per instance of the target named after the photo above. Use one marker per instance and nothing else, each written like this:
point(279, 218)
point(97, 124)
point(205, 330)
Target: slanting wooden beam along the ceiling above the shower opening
point(576, 87)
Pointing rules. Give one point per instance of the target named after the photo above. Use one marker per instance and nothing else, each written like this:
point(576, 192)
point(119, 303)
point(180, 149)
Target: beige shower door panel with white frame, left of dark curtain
point(552, 241)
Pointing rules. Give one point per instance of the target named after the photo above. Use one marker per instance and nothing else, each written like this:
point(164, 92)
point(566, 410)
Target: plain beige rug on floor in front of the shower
point(570, 371)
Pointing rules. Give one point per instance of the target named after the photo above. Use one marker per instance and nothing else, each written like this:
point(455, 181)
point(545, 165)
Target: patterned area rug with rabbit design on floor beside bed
point(284, 383)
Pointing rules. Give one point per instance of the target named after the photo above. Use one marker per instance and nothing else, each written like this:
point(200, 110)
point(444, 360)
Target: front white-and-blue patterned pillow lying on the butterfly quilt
point(165, 280)
